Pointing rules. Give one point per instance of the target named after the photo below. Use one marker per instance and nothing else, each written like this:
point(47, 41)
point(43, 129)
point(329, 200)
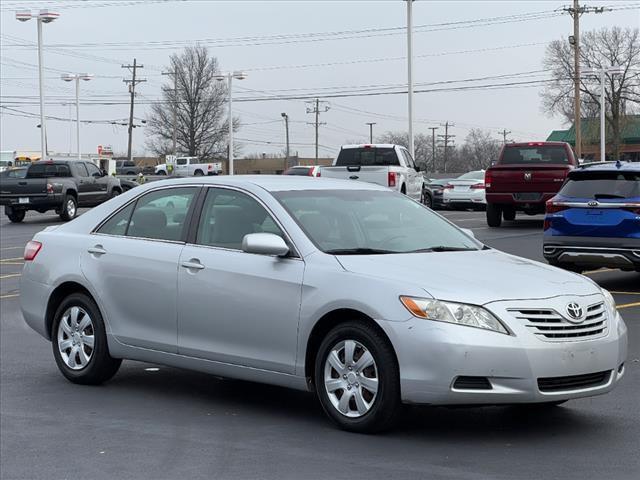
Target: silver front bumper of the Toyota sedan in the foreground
point(433, 355)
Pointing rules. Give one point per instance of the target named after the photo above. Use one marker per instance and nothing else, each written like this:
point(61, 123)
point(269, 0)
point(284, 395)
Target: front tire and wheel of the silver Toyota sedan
point(375, 411)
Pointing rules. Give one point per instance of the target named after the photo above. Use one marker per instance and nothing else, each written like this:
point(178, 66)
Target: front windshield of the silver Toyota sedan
point(368, 222)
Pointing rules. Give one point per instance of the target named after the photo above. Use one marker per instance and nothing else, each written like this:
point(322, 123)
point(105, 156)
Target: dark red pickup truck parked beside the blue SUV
point(525, 176)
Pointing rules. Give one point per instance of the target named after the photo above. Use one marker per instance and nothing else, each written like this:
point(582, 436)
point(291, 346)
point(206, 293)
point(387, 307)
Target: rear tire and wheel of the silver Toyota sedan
point(79, 362)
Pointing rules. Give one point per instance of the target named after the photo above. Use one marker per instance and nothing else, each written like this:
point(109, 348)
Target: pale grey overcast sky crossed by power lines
point(101, 35)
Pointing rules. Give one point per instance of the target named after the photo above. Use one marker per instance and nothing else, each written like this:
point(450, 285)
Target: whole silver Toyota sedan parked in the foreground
point(347, 289)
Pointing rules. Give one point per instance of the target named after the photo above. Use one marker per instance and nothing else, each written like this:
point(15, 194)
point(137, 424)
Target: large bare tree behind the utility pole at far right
point(599, 49)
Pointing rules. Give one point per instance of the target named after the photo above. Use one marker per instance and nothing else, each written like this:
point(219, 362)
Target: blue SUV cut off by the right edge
point(594, 220)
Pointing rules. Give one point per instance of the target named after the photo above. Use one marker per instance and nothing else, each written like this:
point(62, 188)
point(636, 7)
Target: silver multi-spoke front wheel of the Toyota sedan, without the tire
point(351, 378)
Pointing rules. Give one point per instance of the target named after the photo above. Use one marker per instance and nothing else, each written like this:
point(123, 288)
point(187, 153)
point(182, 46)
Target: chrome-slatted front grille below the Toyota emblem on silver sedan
point(549, 326)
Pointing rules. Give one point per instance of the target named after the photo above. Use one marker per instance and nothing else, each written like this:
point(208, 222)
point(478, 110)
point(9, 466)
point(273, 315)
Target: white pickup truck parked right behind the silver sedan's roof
point(384, 164)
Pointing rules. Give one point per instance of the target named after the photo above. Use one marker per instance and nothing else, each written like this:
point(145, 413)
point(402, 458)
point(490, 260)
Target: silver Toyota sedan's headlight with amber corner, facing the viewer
point(460, 313)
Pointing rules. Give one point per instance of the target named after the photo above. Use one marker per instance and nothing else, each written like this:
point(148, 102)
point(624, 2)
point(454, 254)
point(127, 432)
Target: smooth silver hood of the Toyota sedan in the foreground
point(476, 277)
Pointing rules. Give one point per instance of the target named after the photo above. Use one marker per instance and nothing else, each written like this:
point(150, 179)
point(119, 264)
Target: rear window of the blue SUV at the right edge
point(601, 185)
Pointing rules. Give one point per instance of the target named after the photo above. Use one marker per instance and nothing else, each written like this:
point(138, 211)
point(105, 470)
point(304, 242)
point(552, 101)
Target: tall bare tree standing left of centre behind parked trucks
point(200, 102)
